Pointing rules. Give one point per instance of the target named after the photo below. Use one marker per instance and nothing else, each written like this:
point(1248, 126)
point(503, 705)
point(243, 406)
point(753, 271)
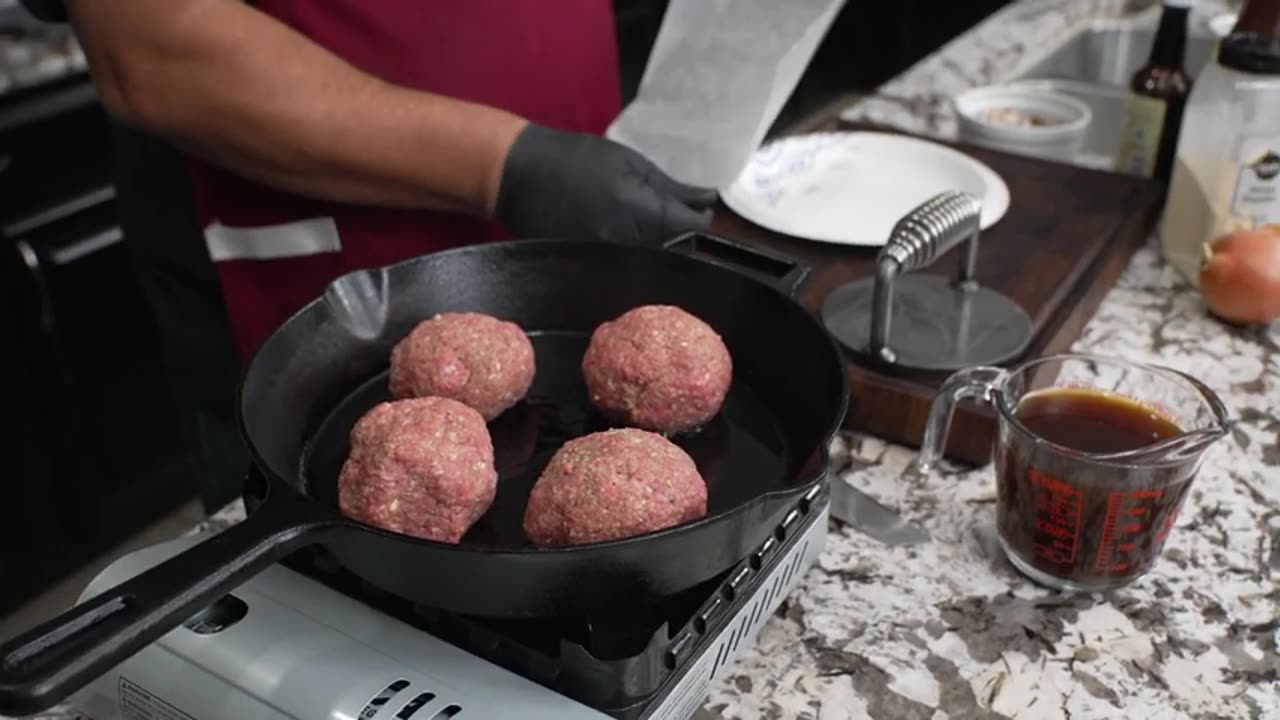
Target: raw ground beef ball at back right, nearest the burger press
point(659, 368)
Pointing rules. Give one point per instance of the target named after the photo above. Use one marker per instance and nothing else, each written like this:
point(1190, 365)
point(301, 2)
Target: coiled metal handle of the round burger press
point(925, 235)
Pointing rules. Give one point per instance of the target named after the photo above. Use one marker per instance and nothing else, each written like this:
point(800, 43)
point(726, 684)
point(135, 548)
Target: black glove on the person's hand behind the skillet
point(574, 186)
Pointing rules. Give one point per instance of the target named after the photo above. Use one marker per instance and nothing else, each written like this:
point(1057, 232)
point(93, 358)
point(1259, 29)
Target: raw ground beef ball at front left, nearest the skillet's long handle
point(420, 467)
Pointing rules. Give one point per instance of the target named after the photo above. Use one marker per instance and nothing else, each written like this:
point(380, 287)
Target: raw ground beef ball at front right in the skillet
point(614, 485)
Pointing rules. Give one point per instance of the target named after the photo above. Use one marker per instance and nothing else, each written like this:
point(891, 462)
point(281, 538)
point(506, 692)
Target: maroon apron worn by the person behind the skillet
point(554, 62)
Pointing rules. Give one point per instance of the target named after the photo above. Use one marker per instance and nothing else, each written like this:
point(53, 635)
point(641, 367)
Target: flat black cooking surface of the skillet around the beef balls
point(742, 453)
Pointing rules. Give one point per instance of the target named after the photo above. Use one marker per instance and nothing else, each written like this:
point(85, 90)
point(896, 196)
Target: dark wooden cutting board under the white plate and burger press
point(1067, 238)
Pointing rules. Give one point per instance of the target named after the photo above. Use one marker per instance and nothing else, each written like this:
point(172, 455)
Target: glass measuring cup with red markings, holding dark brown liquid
point(1094, 458)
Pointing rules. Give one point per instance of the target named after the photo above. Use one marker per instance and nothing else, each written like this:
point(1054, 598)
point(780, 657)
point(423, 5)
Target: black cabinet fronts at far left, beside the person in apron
point(98, 450)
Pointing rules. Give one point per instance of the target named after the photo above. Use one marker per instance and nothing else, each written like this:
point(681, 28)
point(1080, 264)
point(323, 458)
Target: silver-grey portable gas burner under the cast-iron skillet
point(307, 640)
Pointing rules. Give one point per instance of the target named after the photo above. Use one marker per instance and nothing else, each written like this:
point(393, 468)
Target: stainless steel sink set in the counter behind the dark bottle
point(1096, 65)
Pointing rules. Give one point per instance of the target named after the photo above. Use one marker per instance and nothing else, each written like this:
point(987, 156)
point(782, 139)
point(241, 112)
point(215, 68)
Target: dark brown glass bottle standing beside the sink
point(1160, 92)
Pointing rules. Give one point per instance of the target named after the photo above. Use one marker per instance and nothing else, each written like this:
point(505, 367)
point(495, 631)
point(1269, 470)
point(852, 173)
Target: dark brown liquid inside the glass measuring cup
point(1092, 523)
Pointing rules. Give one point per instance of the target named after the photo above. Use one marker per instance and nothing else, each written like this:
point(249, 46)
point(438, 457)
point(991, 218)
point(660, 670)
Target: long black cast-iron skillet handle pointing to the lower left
point(45, 666)
